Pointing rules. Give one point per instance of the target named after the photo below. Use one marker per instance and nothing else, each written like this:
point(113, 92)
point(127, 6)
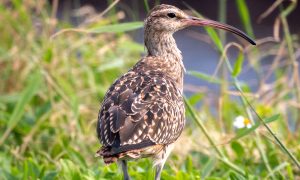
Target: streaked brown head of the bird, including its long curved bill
point(169, 19)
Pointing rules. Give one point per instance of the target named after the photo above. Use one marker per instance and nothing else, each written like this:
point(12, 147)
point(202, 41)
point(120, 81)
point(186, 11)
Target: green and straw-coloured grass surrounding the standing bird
point(52, 84)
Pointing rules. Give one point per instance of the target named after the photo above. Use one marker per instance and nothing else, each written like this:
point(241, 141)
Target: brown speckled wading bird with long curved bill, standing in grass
point(143, 114)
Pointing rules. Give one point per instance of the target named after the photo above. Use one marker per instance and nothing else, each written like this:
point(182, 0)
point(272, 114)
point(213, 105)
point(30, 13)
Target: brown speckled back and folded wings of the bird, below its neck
point(142, 112)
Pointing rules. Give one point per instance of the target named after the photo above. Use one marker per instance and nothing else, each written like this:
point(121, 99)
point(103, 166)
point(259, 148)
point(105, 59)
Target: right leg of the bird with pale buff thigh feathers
point(161, 159)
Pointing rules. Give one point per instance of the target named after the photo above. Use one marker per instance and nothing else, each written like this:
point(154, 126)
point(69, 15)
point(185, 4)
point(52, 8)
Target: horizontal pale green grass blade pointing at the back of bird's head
point(115, 28)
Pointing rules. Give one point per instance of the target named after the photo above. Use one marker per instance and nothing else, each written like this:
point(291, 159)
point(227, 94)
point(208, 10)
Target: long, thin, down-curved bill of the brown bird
point(193, 21)
